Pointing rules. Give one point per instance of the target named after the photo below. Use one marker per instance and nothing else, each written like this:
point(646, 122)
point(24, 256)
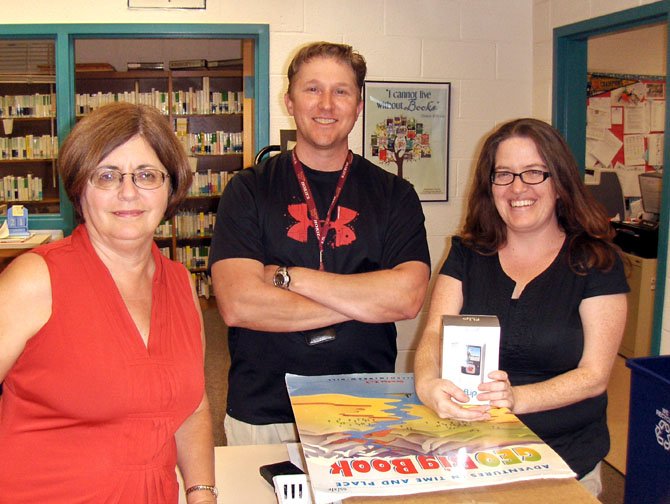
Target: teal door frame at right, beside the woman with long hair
point(569, 112)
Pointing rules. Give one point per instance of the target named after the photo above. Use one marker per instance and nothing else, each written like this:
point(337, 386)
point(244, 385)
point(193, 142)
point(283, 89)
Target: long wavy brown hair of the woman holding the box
point(581, 217)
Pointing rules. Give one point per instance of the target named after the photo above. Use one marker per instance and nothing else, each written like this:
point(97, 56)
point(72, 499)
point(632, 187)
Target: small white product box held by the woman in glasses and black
point(470, 351)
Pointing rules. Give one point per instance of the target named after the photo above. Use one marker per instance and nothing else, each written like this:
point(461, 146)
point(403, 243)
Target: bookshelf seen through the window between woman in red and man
point(207, 110)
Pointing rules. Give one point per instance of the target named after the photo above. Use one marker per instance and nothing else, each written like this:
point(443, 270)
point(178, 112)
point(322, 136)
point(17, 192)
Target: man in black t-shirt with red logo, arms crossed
point(316, 253)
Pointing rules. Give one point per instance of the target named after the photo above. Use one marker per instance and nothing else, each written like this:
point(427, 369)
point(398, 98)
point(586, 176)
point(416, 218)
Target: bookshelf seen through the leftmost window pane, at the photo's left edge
point(29, 143)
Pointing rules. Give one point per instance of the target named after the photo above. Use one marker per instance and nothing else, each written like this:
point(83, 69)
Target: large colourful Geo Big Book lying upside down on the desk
point(369, 435)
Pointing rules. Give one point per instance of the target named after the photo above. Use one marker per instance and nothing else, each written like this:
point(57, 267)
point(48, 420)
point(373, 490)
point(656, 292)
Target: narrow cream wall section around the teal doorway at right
point(547, 15)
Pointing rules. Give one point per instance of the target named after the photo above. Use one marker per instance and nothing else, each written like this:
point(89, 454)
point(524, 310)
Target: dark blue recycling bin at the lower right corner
point(648, 459)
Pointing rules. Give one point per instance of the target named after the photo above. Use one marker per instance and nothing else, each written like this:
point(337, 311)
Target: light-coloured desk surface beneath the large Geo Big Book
point(238, 480)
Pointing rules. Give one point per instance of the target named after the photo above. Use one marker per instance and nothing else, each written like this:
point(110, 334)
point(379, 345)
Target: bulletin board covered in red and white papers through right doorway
point(625, 127)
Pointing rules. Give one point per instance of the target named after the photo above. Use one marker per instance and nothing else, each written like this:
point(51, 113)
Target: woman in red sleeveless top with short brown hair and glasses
point(101, 336)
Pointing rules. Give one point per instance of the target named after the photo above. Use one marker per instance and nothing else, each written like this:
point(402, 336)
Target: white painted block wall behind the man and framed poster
point(496, 54)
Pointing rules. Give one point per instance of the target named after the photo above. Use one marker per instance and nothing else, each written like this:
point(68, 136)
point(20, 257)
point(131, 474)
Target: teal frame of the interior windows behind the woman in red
point(65, 35)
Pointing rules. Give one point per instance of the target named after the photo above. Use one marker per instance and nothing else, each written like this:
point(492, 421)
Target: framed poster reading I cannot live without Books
point(406, 132)
